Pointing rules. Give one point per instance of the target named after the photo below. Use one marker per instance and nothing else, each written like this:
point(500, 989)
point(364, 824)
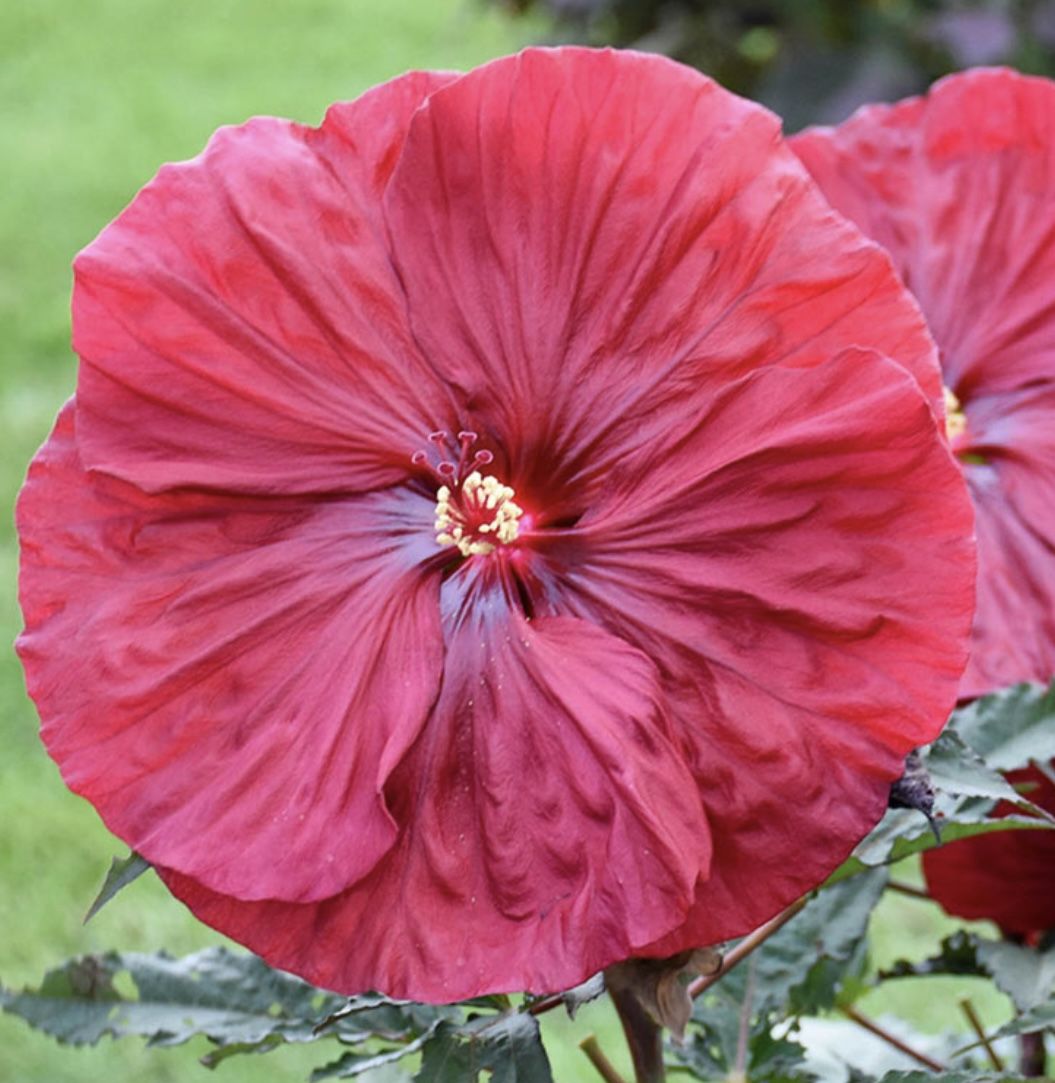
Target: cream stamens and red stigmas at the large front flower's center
point(474, 513)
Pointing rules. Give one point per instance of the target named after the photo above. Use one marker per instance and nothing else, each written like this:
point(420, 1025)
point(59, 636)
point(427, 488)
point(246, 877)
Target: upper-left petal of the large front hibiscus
point(241, 324)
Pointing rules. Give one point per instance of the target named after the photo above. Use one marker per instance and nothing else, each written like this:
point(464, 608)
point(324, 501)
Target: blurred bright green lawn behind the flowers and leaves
point(96, 96)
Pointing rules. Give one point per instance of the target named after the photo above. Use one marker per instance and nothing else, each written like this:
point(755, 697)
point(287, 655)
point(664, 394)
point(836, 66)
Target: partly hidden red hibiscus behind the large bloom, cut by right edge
point(958, 188)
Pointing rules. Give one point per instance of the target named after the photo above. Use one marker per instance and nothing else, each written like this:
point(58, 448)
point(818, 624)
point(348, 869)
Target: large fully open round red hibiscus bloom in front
point(491, 538)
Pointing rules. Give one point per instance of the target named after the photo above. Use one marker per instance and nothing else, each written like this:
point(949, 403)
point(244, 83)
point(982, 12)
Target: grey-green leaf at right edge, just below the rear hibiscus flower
point(1010, 728)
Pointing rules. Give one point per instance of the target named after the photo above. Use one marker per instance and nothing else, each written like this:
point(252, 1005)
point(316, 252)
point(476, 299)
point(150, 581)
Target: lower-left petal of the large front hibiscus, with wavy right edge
point(216, 674)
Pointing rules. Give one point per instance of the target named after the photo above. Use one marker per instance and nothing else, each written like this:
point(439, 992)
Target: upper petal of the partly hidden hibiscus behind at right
point(957, 187)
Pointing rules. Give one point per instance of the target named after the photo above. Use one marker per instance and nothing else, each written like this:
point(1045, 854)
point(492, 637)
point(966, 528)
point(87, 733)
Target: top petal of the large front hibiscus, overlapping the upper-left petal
point(593, 231)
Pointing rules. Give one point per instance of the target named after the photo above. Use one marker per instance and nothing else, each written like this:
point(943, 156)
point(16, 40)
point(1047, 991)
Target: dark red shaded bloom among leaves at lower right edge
point(1008, 878)
